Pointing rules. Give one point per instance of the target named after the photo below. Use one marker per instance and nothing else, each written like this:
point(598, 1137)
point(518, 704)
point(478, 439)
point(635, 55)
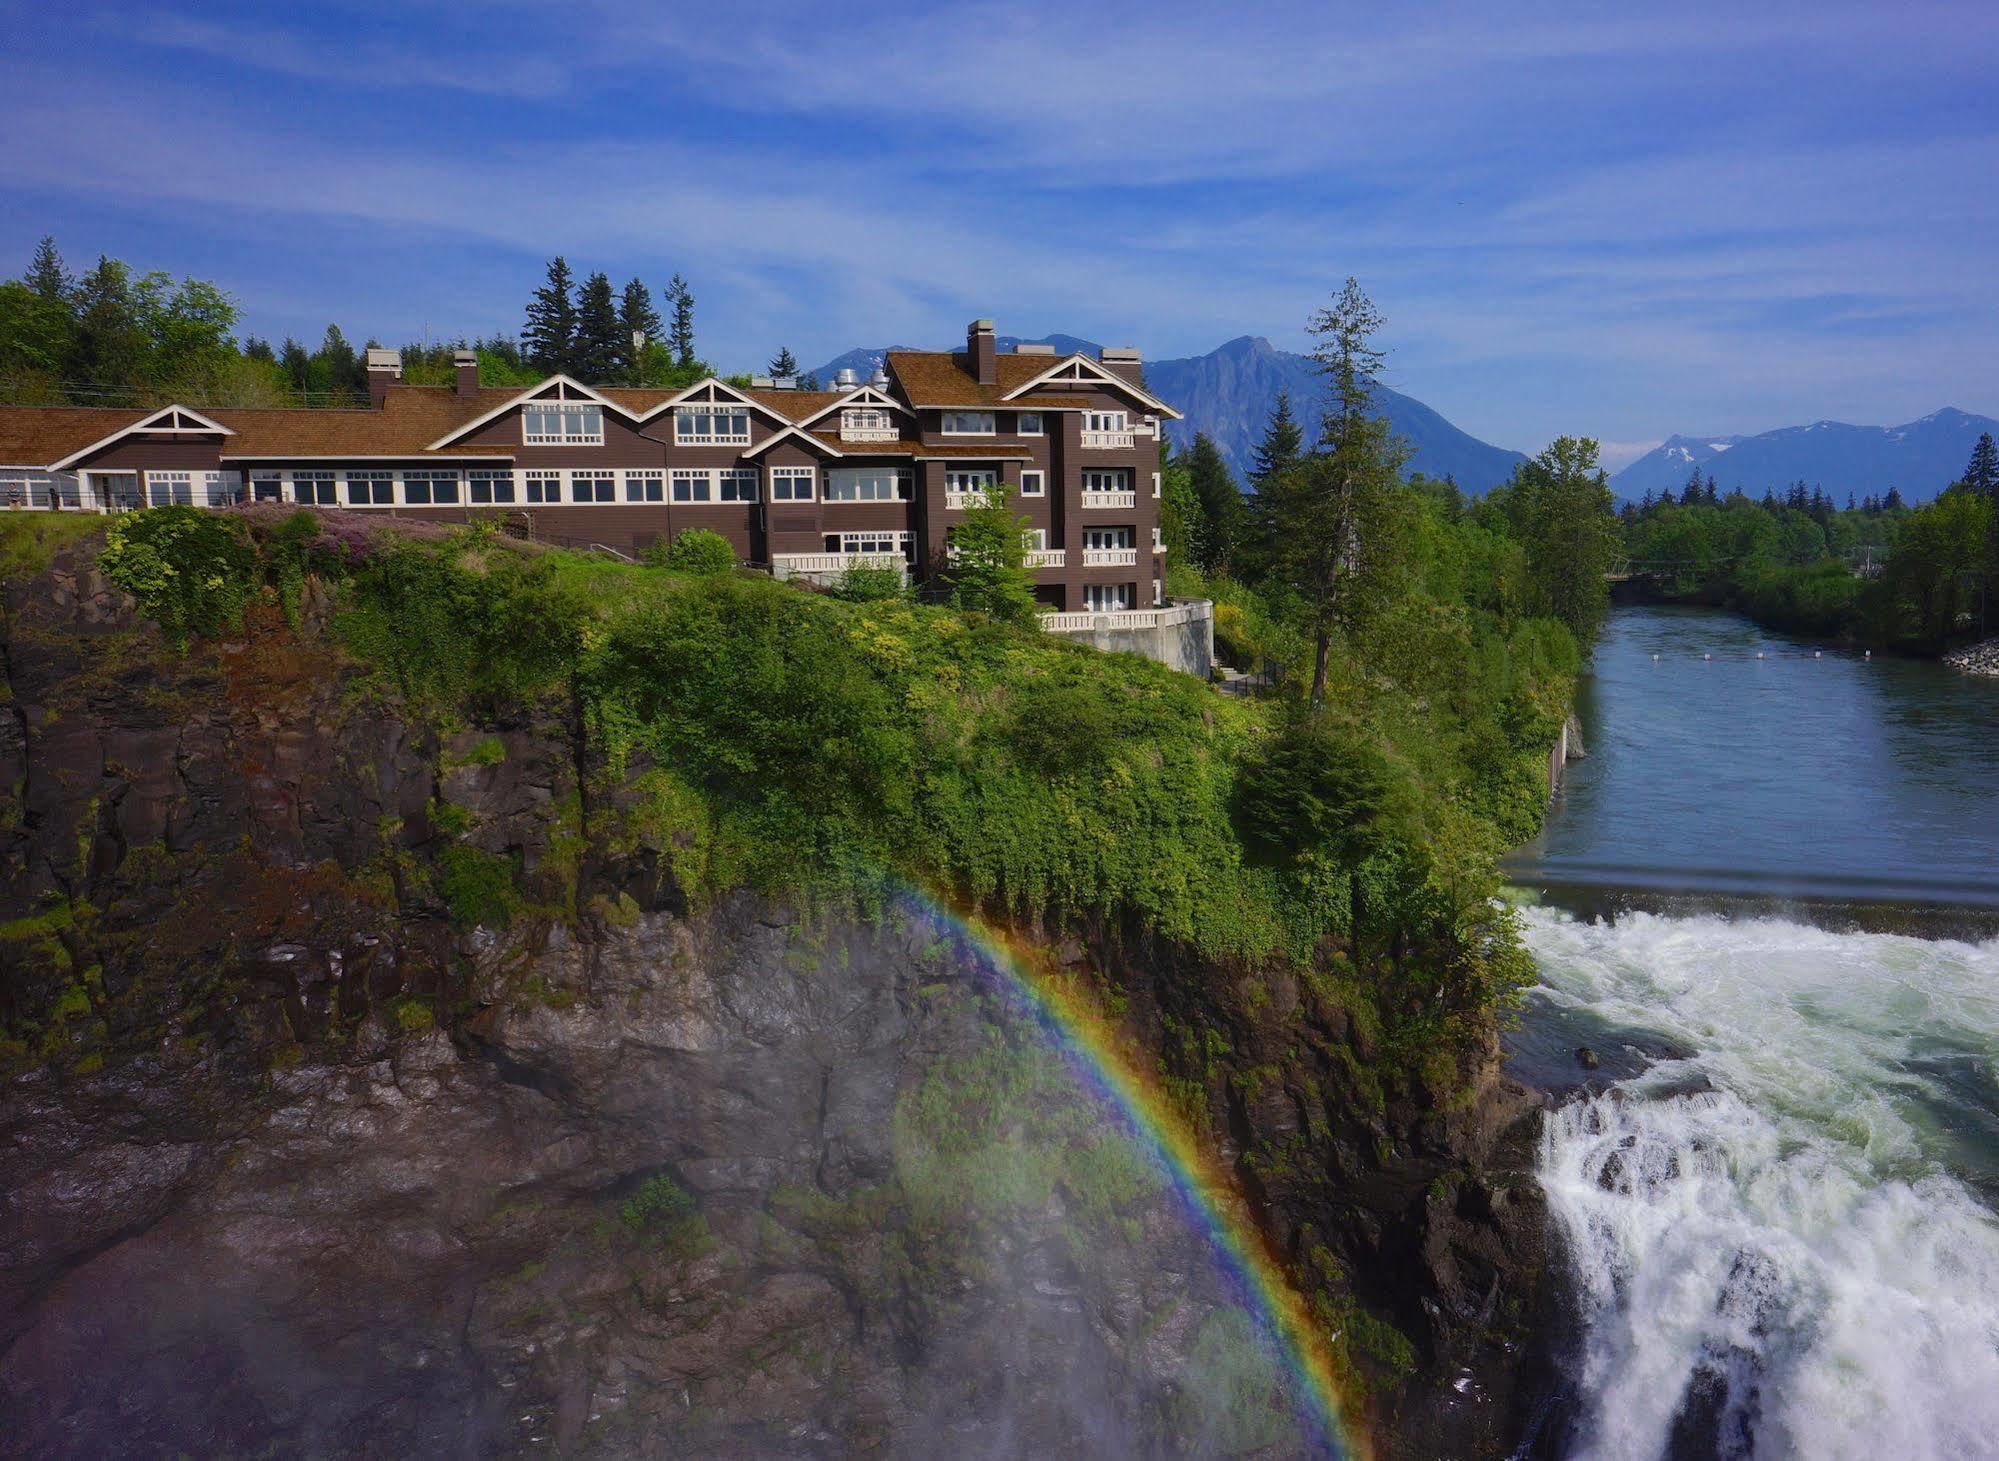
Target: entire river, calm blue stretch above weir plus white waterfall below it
point(1778, 1188)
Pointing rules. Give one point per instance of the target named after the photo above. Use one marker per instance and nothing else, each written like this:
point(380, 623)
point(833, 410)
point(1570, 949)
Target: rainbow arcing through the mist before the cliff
point(1090, 1044)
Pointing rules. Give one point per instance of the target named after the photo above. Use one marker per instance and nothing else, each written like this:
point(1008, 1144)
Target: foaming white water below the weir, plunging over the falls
point(1784, 1232)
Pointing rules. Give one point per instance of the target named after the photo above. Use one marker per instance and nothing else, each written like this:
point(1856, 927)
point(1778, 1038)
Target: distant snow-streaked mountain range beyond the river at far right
point(1922, 459)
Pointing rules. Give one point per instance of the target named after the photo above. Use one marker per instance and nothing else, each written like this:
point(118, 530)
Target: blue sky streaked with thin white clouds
point(1600, 219)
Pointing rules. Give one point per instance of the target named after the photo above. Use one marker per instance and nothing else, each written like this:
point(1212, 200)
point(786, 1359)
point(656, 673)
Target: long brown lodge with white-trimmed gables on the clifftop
point(803, 483)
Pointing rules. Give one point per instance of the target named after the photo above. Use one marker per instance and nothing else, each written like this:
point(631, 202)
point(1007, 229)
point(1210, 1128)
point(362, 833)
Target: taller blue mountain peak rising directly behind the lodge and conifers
point(1232, 391)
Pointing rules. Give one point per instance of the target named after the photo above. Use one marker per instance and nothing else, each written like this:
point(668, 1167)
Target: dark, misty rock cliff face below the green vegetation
point(301, 1154)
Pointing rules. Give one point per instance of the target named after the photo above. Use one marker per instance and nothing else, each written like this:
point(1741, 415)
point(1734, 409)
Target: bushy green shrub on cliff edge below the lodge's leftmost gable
point(191, 571)
